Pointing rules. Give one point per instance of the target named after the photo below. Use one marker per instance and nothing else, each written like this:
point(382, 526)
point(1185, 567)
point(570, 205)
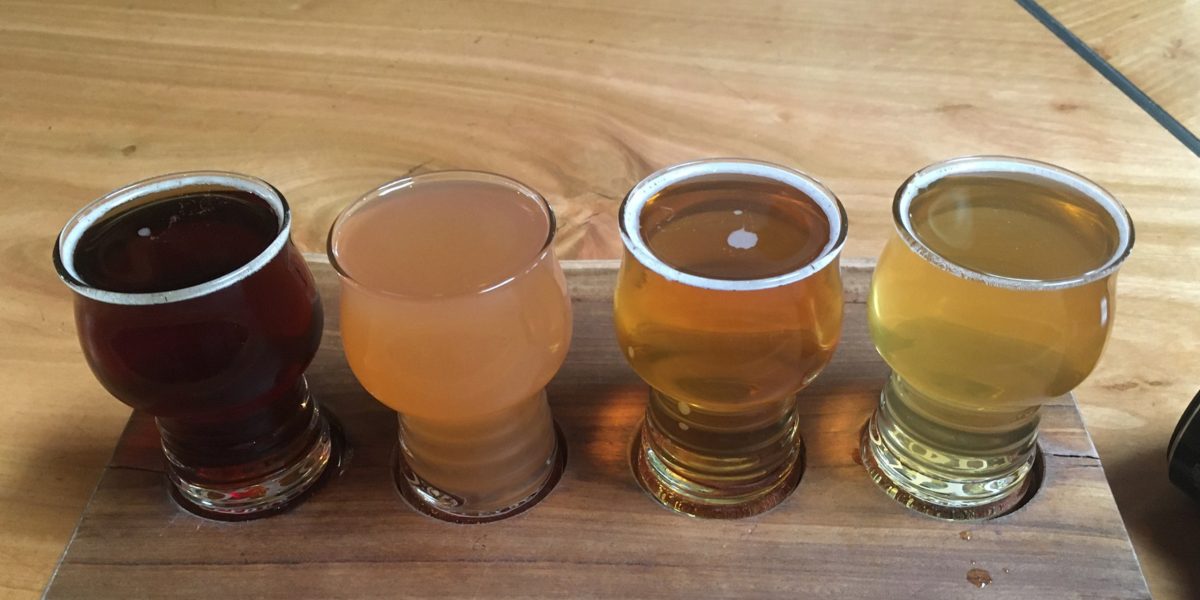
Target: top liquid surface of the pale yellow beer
point(1015, 229)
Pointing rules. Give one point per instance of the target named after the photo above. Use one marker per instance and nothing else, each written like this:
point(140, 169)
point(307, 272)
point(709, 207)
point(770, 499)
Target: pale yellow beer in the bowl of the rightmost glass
point(987, 347)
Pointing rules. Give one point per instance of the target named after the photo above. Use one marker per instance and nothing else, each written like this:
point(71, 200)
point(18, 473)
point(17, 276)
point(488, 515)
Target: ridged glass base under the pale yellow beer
point(945, 463)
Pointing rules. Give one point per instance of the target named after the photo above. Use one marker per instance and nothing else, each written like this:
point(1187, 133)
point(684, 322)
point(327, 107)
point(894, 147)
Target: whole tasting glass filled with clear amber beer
point(728, 304)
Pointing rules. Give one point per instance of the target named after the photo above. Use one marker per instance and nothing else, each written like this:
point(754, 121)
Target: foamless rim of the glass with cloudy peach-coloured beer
point(484, 177)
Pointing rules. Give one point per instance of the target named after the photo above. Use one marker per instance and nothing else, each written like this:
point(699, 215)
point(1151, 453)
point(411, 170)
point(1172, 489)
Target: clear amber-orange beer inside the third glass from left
point(725, 367)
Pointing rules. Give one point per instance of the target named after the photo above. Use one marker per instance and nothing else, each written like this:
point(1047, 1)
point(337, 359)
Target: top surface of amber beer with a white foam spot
point(737, 231)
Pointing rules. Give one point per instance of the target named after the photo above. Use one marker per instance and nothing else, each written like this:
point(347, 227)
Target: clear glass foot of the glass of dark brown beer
point(275, 493)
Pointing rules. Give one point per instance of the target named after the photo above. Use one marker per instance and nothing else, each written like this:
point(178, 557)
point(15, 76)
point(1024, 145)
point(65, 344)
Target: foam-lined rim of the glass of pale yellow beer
point(985, 165)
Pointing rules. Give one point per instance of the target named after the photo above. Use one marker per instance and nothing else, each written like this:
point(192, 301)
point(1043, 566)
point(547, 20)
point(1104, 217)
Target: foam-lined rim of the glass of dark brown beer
point(169, 187)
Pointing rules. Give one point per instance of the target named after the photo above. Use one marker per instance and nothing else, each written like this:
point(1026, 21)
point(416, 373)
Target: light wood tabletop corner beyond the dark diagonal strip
point(1156, 44)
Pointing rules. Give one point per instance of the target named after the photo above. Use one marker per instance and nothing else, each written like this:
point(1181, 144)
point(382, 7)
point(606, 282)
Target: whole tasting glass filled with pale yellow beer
point(995, 296)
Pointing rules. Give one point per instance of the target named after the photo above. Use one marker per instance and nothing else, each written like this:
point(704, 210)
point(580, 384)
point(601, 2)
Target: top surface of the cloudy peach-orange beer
point(442, 239)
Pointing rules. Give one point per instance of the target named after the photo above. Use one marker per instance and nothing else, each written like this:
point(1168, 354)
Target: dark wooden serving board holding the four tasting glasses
point(598, 535)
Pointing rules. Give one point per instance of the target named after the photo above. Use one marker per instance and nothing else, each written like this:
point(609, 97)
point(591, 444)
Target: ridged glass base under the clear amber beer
point(699, 471)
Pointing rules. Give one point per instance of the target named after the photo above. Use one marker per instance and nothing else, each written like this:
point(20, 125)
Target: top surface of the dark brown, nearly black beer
point(176, 243)
